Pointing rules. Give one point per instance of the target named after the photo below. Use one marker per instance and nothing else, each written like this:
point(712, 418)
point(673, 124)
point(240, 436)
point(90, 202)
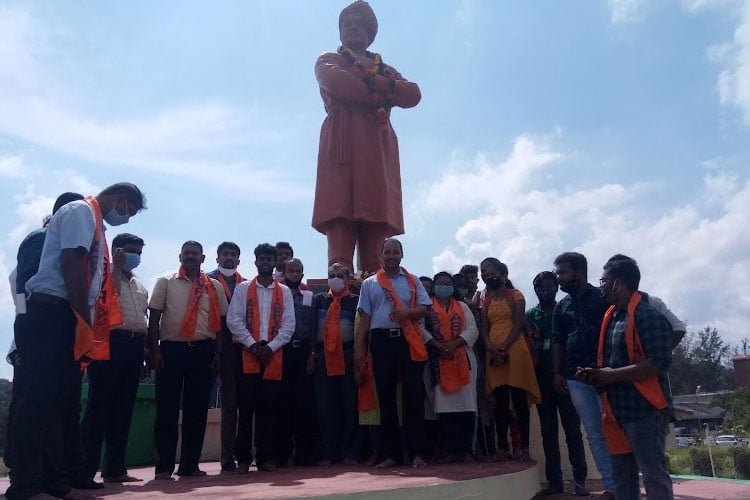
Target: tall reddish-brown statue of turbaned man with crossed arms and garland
point(358, 189)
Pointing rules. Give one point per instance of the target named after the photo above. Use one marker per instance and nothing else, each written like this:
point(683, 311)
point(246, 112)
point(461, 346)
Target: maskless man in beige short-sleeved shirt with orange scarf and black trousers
point(185, 317)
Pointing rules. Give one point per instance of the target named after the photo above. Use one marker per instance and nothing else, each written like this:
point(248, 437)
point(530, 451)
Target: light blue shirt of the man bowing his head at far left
point(71, 227)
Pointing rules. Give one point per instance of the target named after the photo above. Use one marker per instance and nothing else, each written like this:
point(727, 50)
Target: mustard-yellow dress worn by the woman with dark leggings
point(518, 371)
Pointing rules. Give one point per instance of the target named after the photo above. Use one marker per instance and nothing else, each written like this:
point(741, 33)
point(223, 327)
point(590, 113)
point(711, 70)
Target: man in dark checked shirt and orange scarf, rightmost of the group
point(634, 355)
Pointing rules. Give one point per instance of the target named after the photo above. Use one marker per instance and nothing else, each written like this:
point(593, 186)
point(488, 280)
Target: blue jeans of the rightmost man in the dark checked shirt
point(647, 438)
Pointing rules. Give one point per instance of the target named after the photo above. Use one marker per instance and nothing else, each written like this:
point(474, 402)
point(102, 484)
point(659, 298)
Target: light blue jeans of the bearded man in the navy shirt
point(588, 406)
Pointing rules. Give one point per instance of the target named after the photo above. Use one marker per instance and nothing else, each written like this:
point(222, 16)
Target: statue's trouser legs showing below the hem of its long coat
point(343, 235)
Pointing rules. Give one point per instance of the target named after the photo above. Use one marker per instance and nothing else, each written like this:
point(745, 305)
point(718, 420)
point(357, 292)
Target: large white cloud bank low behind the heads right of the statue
point(694, 256)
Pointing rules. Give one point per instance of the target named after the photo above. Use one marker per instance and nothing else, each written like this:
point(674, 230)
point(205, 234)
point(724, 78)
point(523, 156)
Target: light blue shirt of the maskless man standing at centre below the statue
point(372, 299)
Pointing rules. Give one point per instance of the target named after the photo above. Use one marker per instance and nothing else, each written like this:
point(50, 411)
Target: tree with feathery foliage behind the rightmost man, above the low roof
point(701, 359)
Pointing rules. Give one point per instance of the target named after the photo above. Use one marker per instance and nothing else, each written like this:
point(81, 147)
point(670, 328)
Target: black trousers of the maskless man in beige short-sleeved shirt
point(186, 376)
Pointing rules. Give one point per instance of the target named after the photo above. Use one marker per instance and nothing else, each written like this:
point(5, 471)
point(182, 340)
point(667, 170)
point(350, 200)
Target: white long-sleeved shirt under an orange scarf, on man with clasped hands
point(237, 315)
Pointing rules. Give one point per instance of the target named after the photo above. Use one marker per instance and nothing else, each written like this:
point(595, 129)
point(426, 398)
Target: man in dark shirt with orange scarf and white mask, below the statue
point(335, 387)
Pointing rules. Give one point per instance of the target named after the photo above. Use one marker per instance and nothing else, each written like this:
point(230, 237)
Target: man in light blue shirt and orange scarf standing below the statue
point(392, 304)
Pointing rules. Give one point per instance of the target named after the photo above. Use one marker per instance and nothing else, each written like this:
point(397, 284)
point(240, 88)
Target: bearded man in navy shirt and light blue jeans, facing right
point(576, 320)
